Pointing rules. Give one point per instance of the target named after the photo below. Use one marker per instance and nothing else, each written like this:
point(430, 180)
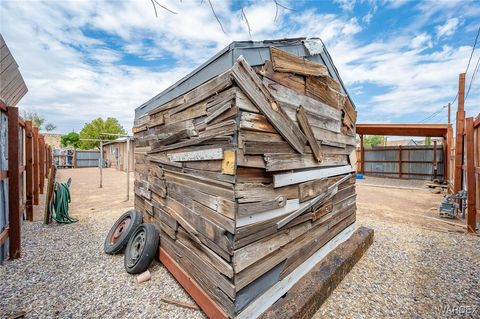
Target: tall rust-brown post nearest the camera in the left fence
point(13, 183)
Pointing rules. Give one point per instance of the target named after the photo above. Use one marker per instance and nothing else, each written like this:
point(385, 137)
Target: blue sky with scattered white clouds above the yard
point(400, 60)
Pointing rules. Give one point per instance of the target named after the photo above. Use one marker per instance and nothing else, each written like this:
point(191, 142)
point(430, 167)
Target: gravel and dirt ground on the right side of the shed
point(415, 267)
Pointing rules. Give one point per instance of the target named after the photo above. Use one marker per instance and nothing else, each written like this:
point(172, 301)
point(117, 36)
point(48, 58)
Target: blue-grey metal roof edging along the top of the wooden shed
point(255, 53)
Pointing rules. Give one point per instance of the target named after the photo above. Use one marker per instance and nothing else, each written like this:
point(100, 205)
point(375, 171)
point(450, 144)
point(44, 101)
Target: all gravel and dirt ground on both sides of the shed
point(409, 272)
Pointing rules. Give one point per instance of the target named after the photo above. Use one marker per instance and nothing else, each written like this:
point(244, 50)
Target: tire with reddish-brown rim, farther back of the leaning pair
point(117, 245)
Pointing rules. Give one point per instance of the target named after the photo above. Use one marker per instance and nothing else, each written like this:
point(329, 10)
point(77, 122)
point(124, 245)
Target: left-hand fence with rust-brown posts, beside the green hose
point(24, 161)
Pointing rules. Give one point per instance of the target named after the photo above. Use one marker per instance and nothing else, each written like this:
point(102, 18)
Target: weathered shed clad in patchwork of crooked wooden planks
point(245, 166)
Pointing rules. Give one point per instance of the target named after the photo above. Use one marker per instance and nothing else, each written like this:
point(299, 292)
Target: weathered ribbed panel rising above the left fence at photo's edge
point(12, 85)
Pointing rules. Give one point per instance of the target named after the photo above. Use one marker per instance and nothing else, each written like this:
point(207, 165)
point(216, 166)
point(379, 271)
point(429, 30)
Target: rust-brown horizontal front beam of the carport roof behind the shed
point(431, 130)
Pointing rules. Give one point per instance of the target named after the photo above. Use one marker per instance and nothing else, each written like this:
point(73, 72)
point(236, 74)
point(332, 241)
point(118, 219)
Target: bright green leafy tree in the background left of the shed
point(94, 130)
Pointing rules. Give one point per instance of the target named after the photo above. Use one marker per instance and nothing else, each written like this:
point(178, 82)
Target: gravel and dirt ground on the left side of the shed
point(63, 272)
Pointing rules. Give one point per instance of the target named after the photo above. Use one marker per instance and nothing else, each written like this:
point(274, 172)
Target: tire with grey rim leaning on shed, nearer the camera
point(141, 248)
